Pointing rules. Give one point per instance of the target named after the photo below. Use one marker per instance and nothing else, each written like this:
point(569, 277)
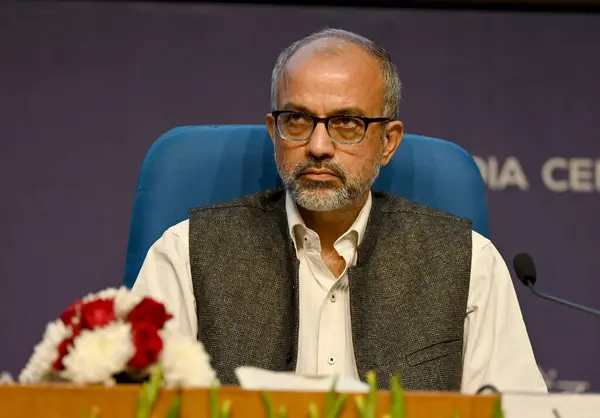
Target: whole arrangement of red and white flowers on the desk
point(116, 336)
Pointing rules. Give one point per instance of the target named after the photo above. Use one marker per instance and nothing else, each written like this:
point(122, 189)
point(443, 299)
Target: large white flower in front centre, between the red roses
point(99, 354)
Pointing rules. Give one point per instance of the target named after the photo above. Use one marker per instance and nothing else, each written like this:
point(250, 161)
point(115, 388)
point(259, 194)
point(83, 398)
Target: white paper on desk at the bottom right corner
point(551, 405)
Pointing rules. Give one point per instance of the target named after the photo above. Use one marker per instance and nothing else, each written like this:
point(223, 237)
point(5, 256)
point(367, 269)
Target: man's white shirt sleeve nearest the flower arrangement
point(166, 276)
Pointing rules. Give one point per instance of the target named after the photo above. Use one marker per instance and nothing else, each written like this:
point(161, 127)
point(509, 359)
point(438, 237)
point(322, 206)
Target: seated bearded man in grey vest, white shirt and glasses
point(327, 277)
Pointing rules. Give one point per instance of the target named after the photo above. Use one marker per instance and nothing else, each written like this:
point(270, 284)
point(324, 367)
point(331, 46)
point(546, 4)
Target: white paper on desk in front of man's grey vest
point(251, 378)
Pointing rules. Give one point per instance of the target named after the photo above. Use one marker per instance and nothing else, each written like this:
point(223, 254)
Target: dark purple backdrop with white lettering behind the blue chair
point(86, 88)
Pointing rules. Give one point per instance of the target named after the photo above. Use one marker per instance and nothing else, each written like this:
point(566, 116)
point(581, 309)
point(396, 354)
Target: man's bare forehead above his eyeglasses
point(327, 74)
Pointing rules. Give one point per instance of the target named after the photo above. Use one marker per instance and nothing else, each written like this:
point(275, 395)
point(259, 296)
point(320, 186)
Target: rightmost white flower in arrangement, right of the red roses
point(185, 363)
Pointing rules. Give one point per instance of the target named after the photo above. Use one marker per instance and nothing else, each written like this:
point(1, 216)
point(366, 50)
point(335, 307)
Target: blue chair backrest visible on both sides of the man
point(193, 166)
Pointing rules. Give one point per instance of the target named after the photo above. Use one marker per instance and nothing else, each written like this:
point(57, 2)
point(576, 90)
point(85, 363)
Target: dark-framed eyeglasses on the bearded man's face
point(298, 126)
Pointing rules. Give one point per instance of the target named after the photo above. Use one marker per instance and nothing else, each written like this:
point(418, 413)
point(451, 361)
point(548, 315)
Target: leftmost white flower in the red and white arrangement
point(39, 366)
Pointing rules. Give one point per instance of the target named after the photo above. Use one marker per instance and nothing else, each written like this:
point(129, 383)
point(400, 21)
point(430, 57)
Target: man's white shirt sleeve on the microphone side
point(497, 350)
